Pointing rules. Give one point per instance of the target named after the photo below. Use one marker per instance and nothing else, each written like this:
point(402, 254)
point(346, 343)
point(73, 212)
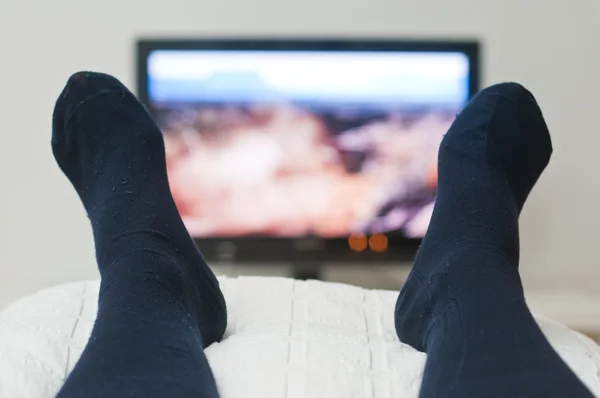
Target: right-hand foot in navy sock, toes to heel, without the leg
point(488, 163)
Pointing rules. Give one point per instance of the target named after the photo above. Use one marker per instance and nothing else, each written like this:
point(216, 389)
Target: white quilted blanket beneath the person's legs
point(285, 338)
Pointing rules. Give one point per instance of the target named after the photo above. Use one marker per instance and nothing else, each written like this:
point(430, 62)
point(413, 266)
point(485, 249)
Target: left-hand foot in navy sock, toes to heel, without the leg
point(113, 153)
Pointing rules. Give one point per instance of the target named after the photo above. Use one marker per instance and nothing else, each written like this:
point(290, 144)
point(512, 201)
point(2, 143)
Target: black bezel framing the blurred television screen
point(311, 249)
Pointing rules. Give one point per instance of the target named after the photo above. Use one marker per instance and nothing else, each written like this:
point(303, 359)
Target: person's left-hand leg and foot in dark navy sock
point(159, 303)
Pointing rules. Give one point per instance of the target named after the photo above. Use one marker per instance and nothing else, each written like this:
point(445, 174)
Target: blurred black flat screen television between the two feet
point(305, 150)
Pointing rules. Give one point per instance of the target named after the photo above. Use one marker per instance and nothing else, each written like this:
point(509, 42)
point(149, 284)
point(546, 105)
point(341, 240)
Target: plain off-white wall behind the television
point(551, 46)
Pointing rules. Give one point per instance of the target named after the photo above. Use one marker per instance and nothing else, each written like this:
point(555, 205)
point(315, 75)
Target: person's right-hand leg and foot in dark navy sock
point(463, 302)
